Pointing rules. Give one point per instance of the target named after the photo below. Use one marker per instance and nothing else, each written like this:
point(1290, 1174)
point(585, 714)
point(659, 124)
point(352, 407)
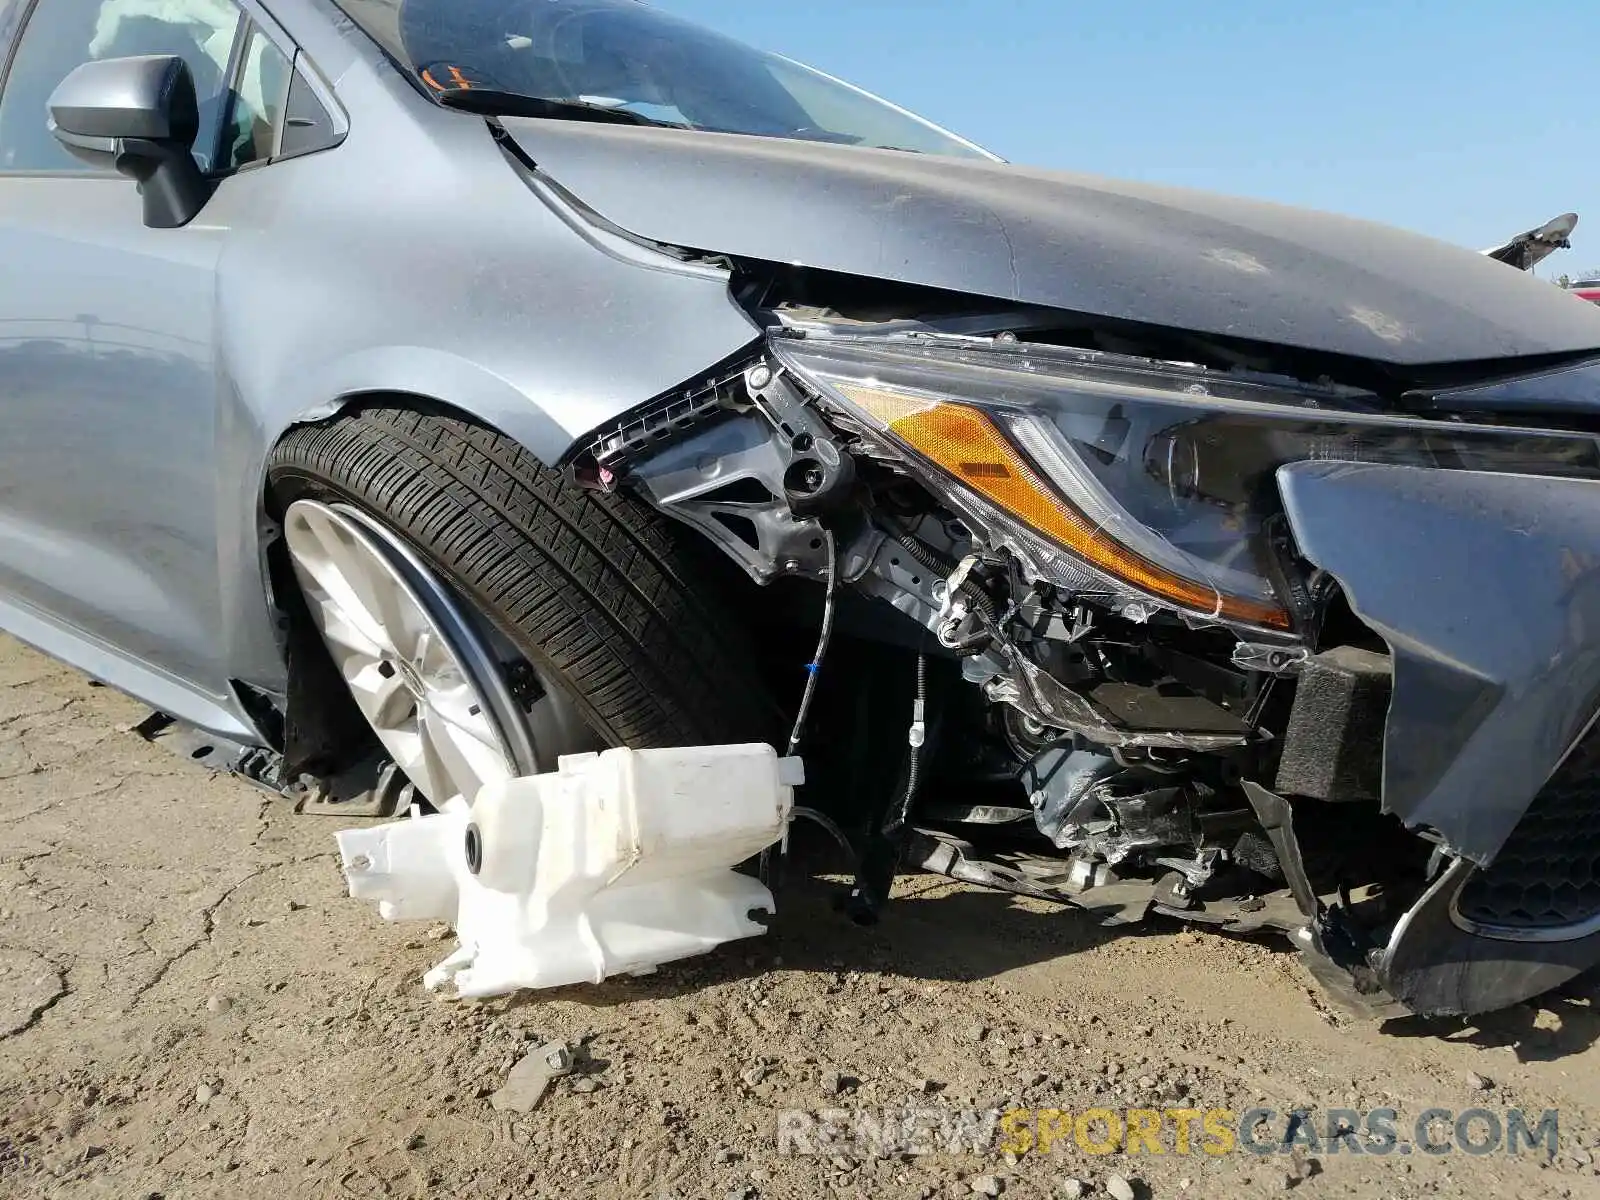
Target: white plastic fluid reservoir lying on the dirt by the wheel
point(612, 865)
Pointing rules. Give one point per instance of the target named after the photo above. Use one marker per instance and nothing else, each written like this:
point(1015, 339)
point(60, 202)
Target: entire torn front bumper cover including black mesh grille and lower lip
point(1487, 590)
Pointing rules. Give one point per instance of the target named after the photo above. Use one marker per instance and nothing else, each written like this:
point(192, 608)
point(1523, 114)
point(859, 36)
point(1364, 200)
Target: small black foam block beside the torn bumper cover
point(1335, 743)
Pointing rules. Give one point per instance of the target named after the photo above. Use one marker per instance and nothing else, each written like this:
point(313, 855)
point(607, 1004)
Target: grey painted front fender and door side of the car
point(148, 374)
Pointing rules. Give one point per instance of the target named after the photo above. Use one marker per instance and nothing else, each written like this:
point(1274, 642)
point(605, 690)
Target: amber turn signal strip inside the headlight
point(966, 444)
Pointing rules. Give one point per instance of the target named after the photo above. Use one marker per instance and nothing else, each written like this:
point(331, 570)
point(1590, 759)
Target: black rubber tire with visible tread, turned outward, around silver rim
point(606, 599)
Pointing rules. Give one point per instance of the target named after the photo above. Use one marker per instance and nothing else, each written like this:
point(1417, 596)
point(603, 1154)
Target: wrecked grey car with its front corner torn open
point(404, 394)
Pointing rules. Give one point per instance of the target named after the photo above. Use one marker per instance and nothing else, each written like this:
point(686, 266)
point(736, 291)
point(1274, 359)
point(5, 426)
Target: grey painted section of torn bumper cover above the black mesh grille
point(1487, 590)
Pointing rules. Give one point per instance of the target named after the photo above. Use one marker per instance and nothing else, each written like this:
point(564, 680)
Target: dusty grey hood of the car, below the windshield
point(1135, 252)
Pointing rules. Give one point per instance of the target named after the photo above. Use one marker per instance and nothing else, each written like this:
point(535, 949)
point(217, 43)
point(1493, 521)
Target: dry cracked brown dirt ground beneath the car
point(191, 1007)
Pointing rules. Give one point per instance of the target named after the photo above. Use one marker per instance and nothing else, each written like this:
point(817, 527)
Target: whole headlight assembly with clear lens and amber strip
point(1146, 482)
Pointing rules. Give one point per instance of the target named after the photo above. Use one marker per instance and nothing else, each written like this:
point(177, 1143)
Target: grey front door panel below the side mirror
point(108, 489)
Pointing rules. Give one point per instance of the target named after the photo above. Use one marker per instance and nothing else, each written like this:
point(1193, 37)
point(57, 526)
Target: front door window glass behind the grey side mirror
point(63, 34)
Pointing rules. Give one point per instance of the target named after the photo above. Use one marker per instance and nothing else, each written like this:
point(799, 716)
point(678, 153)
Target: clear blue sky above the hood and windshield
point(1466, 119)
